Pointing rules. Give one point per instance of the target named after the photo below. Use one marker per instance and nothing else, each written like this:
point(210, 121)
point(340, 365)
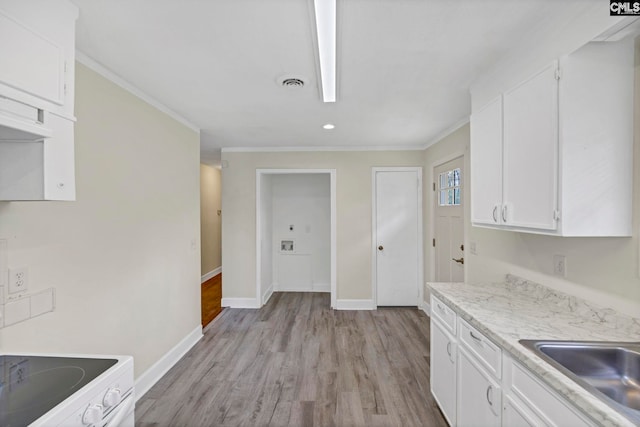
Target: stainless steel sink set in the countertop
point(609, 370)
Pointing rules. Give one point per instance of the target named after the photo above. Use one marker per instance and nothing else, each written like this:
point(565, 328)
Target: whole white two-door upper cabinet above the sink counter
point(553, 155)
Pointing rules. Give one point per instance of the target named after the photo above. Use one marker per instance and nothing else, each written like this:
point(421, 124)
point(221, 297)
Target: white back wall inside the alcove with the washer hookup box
point(302, 201)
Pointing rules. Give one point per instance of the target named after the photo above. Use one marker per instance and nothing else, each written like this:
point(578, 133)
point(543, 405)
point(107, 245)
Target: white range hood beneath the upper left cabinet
point(22, 122)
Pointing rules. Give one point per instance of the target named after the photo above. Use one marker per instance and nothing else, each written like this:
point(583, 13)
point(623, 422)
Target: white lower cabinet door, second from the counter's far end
point(479, 395)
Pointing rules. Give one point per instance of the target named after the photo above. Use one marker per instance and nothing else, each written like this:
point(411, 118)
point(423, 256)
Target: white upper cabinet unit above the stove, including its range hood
point(37, 40)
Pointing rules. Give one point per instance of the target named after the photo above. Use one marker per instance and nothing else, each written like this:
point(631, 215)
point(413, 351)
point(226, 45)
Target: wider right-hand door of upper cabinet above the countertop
point(531, 152)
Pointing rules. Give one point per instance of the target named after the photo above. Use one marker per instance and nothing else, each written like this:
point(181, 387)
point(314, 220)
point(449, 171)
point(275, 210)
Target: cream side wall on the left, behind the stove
point(124, 258)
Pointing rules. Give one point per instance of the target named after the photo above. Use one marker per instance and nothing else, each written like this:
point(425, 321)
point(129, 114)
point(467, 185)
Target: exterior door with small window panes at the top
point(449, 221)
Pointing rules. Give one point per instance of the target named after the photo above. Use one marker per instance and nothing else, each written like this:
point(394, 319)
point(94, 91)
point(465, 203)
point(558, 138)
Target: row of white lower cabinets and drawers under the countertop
point(476, 383)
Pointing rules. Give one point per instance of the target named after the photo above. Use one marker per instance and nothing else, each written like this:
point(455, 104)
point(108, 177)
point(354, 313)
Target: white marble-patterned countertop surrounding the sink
point(519, 309)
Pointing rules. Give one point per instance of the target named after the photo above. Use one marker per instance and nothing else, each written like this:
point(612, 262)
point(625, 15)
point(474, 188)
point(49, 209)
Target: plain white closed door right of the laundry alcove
point(397, 228)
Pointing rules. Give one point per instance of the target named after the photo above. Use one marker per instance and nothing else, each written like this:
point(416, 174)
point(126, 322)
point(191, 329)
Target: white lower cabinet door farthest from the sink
point(443, 370)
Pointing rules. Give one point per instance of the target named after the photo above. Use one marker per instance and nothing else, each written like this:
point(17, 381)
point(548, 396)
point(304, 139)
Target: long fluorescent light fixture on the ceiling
point(326, 30)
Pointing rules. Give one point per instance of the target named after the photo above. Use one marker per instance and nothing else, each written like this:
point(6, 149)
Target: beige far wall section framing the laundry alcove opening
point(353, 205)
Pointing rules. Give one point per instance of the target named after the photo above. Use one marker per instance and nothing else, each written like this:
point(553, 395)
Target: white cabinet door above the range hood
point(30, 62)
